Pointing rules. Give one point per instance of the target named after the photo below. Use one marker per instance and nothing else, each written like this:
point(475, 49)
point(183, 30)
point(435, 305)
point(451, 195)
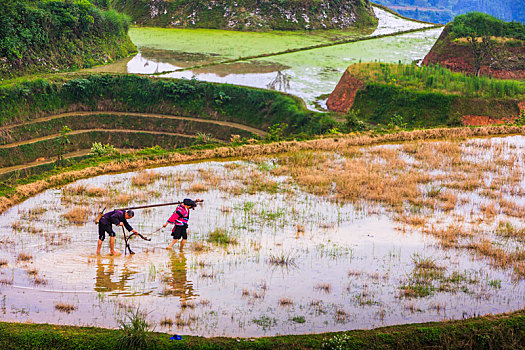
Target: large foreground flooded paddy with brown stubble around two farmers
point(295, 243)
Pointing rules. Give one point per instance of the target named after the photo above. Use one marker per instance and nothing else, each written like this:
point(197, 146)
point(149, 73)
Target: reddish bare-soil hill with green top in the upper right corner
point(497, 51)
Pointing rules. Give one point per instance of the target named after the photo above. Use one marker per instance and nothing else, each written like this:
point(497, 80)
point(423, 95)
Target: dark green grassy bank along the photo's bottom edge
point(505, 331)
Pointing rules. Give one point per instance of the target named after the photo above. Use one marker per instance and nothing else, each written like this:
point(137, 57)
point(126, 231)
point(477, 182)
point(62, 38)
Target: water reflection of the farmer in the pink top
point(178, 284)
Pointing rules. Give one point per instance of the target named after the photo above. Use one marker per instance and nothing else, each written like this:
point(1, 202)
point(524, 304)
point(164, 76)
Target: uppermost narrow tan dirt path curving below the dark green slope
point(146, 115)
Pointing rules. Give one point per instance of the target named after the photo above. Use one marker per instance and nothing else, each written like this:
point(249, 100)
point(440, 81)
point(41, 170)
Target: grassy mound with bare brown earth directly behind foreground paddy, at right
point(425, 96)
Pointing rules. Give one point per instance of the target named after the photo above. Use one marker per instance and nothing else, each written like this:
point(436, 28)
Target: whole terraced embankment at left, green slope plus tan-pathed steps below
point(132, 112)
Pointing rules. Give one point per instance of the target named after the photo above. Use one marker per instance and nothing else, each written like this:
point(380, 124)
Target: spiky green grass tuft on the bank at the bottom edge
point(136, 333)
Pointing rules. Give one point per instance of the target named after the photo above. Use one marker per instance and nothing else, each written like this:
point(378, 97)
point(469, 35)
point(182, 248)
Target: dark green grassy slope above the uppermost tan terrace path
point(25, 100)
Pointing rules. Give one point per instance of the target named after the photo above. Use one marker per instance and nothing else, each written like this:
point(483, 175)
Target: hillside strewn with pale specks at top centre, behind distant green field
point(249, 15)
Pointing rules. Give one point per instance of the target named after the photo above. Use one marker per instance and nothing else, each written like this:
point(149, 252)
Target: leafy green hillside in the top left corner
point(49, 36)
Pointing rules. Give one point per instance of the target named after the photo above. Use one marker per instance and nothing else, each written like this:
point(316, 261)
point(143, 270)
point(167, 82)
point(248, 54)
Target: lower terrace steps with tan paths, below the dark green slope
point(37, 139)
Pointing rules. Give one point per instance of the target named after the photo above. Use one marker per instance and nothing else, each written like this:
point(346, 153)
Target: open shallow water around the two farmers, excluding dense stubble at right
point(346, 264)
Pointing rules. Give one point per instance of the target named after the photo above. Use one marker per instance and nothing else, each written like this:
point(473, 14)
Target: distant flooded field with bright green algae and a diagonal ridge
point(310, 74)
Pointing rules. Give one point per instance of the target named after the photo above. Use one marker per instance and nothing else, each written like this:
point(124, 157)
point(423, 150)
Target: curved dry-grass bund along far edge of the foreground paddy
point(17, 190)
